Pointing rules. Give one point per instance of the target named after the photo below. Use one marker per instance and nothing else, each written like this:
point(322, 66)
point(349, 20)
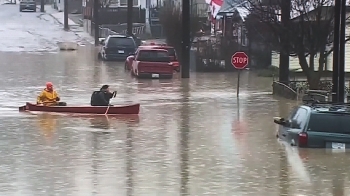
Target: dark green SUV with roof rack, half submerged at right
point(317, 125)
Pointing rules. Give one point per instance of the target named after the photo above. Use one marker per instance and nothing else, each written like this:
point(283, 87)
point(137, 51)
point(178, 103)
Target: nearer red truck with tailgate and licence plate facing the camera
point(151, 63)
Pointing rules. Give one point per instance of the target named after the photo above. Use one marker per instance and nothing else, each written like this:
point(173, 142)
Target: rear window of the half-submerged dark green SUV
point(329, 122)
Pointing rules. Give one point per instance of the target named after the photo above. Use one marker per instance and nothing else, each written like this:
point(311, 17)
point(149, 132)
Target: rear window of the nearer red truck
point(153, 56)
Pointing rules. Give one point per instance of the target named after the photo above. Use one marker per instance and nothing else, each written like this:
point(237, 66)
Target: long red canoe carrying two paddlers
point(128, 109)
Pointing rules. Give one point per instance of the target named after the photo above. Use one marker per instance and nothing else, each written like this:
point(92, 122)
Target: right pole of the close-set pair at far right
point(342, 53)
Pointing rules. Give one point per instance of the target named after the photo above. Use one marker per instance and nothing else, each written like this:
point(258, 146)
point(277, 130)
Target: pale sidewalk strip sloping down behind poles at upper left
point(73, 27)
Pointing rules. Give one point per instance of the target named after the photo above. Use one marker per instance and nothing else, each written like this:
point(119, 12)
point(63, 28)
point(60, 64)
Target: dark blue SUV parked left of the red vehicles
point(116, 47)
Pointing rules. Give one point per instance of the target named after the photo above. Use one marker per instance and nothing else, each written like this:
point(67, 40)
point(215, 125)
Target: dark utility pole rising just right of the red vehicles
point(186, 39)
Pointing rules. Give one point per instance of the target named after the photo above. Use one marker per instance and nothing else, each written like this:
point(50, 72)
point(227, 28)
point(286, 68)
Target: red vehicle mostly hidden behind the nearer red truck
point(171, 53)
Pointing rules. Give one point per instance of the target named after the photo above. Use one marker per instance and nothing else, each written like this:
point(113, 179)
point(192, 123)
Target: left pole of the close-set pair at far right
point(336, 42)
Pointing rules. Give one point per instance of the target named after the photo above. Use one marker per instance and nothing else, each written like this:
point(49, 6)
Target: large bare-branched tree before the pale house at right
point(310, 31)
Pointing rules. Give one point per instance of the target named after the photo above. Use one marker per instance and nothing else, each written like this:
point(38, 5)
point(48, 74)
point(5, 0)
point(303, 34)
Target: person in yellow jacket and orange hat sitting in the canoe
point(49, 97)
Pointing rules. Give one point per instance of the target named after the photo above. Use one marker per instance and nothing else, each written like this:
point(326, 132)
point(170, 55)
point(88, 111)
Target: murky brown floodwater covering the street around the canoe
point(192, 137)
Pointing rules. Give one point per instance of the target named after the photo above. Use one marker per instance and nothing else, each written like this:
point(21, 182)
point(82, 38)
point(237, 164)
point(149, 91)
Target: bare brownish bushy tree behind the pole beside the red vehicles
point(171, 21)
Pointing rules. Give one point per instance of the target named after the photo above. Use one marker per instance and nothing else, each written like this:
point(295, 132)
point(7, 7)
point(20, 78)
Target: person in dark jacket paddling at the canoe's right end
point(102, 97)
